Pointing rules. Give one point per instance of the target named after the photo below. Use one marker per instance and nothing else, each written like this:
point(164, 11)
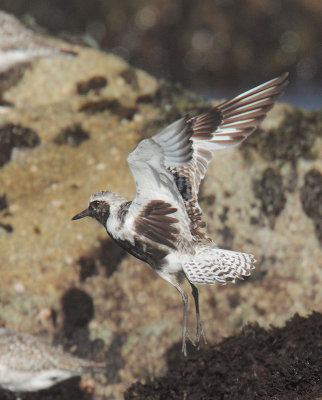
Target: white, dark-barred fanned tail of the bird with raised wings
point(211, 265)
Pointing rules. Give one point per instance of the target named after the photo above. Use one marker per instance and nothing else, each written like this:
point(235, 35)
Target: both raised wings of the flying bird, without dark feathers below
point(170, 165)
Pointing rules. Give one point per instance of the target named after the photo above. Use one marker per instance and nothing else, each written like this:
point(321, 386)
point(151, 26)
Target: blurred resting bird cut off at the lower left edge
point(27, 364)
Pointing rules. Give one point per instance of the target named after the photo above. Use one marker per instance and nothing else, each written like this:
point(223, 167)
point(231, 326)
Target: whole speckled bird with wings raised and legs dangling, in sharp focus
point(161, 225)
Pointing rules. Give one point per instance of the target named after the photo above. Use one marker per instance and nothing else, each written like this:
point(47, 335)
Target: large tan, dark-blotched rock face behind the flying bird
point(88, 113)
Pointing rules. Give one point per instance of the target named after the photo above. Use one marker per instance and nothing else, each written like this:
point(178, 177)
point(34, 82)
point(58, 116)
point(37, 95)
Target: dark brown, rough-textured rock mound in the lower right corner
point(281, 363)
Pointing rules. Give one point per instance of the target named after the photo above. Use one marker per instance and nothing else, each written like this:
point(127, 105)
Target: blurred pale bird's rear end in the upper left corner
point(18, 44)
